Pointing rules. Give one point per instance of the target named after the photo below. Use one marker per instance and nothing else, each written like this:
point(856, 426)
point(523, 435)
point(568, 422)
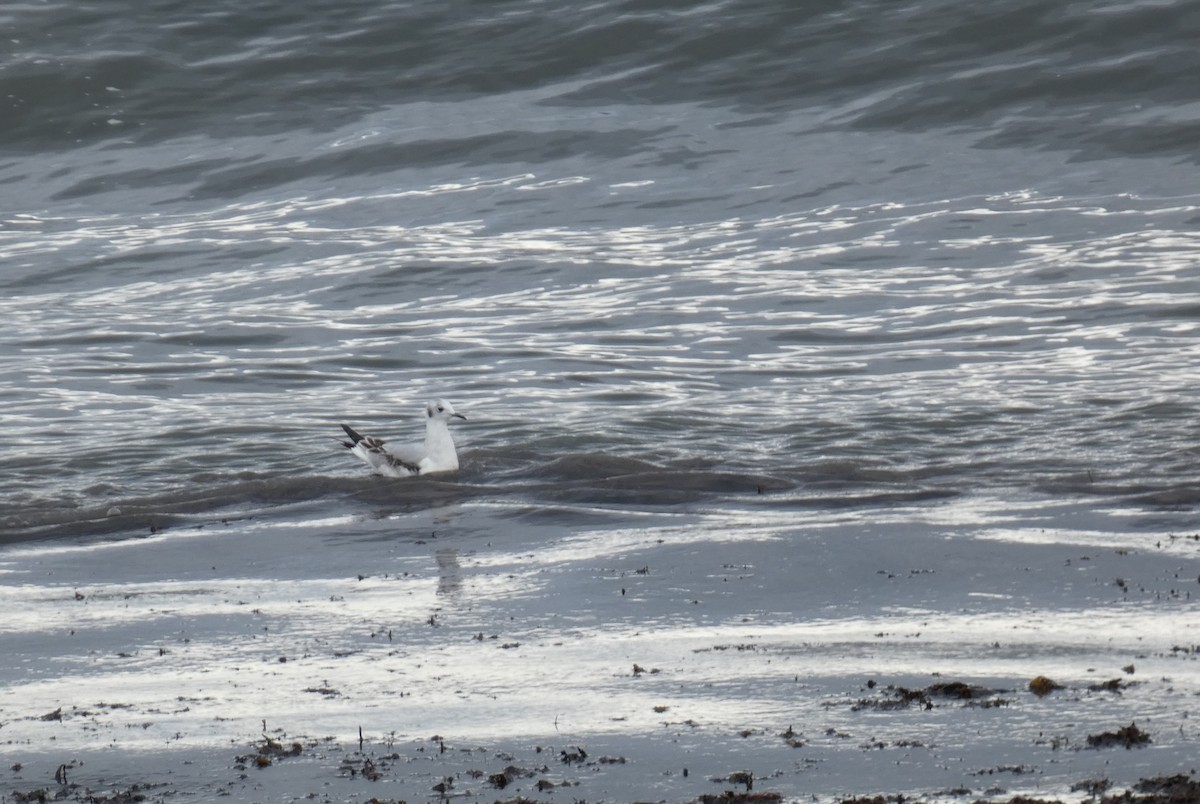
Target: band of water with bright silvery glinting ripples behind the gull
point(773, 343)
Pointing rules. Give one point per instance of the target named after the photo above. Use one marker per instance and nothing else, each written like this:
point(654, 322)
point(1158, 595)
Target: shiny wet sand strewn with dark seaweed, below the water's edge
point(969, 650)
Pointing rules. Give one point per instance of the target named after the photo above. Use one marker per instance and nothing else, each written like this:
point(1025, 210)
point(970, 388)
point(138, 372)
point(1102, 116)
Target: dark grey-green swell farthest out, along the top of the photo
point(1022, 71)
